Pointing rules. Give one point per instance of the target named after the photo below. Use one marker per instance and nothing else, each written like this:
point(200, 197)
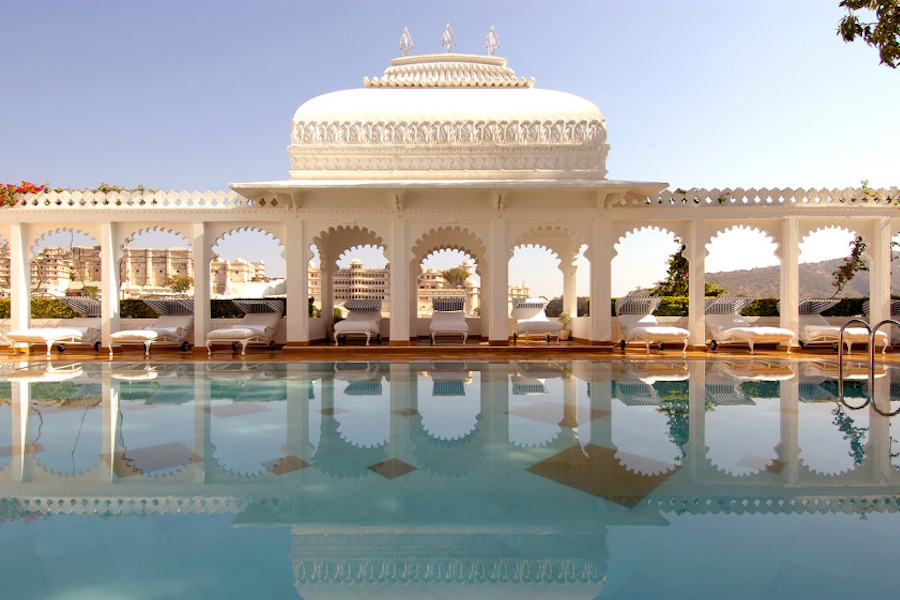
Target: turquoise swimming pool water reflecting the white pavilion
point(530, 479)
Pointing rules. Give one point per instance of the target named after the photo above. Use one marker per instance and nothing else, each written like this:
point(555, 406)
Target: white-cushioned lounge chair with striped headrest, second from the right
point(727, 326)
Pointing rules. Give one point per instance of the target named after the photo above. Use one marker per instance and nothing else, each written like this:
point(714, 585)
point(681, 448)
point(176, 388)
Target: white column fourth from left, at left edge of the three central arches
point(297, 284)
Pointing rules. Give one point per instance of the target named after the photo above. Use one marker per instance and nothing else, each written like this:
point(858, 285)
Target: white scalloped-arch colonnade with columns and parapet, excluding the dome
point(564, 222)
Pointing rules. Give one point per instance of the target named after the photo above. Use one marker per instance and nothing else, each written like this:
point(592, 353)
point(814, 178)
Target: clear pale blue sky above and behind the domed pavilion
point(193, 95)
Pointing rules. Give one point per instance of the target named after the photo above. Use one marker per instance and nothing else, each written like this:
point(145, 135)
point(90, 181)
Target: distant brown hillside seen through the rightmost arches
point(815, 281)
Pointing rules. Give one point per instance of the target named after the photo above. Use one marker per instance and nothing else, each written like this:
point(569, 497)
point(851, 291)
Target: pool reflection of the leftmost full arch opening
point(67, 434)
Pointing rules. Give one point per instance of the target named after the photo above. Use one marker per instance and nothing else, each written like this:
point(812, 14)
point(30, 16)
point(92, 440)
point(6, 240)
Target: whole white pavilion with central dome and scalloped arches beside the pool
point(449, 151)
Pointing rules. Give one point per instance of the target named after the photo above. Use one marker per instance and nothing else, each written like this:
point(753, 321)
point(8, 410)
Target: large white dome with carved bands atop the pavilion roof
point(448, 116)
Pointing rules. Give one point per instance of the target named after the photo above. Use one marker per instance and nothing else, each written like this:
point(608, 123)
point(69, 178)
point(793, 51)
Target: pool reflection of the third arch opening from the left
point(248, 437)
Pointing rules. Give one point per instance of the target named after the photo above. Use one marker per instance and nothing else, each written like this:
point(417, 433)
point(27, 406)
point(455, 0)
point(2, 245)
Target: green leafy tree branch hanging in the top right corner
point(883, 33)
